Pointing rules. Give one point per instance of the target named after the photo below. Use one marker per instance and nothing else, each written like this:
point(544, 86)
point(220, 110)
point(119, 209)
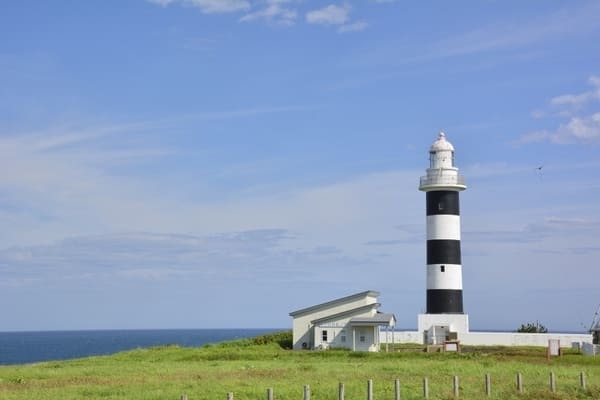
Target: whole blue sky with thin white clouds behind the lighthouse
point(221, 163)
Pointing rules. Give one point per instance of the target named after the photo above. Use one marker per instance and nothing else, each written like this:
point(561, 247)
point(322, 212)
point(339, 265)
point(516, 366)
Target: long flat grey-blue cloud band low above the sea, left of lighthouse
point(255, 255)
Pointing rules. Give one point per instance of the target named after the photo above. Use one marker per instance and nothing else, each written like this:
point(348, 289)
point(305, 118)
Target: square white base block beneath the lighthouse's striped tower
point(437, 328)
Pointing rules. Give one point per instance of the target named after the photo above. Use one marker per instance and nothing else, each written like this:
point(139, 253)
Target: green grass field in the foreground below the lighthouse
point(248, 367)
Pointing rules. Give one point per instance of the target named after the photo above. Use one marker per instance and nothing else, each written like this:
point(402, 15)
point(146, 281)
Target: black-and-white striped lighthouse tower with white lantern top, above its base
point(442, 185)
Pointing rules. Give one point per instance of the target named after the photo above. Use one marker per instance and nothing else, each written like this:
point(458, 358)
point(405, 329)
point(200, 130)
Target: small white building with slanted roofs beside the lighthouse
point(353, 322)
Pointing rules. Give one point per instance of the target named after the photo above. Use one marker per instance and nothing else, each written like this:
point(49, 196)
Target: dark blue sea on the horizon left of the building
point(29, 347)
